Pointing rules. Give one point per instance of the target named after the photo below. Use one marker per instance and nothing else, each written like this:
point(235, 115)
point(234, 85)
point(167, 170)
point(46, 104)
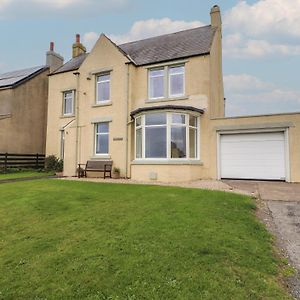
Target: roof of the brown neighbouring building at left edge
point(14, 78)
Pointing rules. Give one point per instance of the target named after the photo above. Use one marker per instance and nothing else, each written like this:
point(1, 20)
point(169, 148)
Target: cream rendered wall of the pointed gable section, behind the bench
point(103, 57)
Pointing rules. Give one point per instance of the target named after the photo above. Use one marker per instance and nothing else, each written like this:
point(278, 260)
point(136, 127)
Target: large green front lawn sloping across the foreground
point(77, 240)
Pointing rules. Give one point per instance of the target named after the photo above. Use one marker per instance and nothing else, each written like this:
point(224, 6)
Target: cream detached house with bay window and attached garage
point(155, 107)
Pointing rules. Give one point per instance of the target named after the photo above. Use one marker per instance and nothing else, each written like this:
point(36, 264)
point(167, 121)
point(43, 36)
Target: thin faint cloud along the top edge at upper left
point(44, 8)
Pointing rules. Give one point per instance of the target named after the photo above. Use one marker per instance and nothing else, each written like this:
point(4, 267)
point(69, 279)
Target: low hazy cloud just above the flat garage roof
point(247, 94)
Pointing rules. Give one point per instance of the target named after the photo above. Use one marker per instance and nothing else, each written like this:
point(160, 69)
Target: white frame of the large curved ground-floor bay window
point(169, 126)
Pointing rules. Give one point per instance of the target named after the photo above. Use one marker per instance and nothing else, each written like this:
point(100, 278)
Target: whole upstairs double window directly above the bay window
point(166, 82)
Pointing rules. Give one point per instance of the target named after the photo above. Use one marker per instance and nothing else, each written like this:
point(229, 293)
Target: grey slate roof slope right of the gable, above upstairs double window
point(186, 43)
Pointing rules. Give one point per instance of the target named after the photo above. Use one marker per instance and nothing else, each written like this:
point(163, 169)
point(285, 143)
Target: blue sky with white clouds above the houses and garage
point(261, 39)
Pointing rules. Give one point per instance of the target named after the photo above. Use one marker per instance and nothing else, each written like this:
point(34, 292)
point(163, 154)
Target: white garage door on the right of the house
point(253, 156)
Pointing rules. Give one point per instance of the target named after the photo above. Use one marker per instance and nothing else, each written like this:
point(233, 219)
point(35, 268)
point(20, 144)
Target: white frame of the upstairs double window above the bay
point(167, 82)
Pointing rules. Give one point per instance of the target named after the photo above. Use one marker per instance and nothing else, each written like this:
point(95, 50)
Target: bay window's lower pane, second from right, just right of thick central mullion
point(178, 142)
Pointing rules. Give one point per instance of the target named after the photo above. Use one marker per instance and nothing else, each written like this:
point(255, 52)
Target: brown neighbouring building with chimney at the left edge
point(23, 107)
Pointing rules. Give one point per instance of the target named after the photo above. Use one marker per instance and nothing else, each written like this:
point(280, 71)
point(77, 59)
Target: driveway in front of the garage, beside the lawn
point(283, 202)
